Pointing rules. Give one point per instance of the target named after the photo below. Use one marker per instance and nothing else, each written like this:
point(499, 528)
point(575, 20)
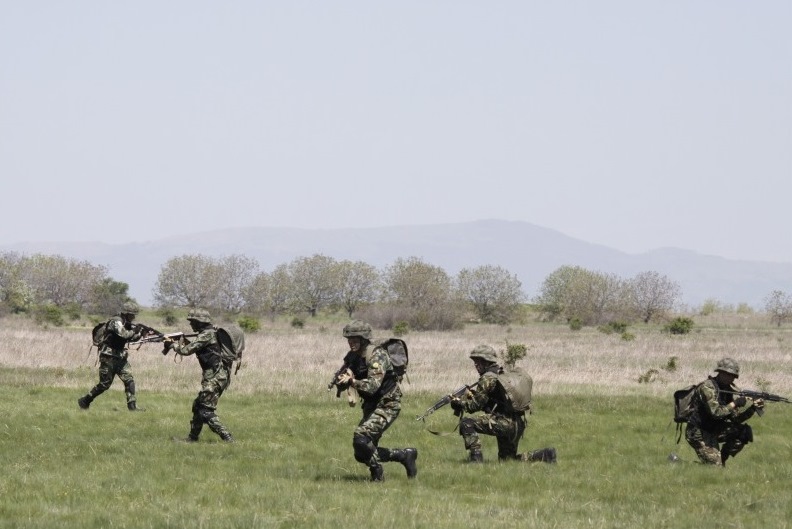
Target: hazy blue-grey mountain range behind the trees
point(529, 251)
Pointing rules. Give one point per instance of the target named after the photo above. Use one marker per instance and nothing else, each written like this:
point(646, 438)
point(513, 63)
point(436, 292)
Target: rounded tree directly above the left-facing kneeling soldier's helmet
point(493, 292)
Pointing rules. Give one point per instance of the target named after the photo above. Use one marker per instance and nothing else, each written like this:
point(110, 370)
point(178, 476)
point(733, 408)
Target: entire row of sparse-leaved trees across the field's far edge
point(408, 292)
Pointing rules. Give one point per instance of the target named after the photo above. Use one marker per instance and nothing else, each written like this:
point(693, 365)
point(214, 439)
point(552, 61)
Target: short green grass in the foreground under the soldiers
point(292, 466)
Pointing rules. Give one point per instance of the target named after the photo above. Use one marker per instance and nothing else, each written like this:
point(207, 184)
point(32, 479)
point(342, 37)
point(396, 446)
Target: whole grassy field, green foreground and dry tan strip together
point(292, 465)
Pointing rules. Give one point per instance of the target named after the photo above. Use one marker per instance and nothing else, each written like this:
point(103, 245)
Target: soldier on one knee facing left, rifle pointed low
point(497, 419)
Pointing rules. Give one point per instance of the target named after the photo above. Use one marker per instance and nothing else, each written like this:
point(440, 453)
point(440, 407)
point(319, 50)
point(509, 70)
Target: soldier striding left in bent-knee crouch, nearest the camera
point(371, 375)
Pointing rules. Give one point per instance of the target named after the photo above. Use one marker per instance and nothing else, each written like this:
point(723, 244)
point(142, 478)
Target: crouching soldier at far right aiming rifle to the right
point(719, 416)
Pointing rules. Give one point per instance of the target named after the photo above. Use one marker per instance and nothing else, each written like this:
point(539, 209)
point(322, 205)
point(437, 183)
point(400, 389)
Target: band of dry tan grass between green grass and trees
point(301, 361)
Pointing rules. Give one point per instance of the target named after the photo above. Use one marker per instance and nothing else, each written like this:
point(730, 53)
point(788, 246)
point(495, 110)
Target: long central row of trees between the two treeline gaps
point(410, 290)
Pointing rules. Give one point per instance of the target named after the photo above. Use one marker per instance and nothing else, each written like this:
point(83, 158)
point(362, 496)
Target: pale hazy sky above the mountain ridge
point(632, 124)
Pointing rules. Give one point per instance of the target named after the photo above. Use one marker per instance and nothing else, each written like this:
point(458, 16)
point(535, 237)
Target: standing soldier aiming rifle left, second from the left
point(215, 379)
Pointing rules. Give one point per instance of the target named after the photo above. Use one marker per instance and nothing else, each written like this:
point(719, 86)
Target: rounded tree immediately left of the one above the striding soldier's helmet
point(314, 282)
